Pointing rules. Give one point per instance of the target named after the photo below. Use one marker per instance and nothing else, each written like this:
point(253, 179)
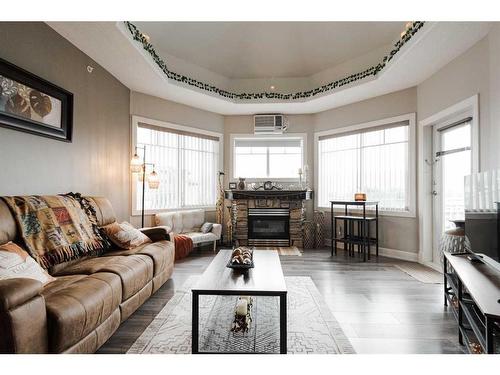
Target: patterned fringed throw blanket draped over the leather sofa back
point(55, 229)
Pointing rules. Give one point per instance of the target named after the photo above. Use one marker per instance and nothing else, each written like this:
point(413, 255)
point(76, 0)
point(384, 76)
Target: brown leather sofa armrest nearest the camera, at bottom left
point(23, 317)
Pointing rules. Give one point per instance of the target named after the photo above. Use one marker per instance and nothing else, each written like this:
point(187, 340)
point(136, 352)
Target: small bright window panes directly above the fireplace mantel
point(256, 157)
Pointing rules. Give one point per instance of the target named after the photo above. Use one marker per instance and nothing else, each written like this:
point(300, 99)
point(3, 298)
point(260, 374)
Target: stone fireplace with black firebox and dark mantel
point(268, 218)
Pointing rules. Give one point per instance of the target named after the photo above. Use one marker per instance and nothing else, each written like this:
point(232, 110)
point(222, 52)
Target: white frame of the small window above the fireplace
point(234, 136)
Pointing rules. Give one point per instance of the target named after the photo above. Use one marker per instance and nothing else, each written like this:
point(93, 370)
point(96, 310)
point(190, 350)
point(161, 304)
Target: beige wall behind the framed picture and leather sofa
point(96, 162)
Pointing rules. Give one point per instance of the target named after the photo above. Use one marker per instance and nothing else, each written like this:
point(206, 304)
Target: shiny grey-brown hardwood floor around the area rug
point(380, 308)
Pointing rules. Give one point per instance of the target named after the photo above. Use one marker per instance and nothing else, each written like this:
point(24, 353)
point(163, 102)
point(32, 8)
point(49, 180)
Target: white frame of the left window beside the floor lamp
point(133, 188)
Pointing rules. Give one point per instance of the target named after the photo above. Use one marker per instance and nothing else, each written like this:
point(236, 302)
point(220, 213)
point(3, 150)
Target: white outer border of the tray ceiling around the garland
point(111, 43)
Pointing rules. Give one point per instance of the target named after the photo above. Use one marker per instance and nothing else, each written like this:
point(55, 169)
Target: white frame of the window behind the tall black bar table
point(412, 167)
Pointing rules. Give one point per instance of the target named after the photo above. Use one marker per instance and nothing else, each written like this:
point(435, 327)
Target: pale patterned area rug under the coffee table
point(311, 326)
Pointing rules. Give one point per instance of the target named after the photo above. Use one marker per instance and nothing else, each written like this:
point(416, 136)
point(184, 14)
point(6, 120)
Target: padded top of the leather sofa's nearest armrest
point(15, 292)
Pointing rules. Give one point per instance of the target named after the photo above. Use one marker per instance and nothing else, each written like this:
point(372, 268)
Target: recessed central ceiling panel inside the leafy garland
point(269, 49)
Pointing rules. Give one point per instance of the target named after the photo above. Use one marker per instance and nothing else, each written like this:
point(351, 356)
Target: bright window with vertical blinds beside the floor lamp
point(187, 163)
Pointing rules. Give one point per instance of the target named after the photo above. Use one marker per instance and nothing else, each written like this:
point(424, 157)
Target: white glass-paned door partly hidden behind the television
point(452, 162)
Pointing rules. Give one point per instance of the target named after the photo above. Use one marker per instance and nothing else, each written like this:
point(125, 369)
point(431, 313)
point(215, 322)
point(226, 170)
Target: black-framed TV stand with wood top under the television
point(471, 290)
